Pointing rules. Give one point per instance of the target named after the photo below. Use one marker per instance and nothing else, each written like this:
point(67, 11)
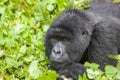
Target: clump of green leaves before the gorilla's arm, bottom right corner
point(110, 72)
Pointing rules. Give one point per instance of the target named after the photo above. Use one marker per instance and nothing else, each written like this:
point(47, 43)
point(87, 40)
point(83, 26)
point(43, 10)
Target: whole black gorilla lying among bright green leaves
point(79, 36)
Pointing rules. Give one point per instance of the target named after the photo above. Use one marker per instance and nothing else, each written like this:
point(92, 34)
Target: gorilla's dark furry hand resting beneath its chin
point(72, 72)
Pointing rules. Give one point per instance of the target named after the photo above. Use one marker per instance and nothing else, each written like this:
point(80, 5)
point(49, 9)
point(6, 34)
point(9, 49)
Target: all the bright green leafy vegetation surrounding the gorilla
point(23, 24)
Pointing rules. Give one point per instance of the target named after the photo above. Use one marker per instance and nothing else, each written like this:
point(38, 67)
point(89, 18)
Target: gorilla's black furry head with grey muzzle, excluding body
point(68, 37)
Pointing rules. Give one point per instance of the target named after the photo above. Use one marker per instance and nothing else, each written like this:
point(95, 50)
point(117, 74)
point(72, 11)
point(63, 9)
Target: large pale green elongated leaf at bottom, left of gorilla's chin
point(34, 70)
